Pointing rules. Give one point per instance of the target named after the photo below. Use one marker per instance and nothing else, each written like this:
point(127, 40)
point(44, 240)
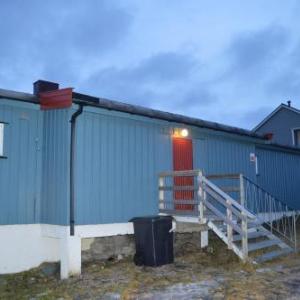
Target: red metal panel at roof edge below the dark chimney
point(56, 99)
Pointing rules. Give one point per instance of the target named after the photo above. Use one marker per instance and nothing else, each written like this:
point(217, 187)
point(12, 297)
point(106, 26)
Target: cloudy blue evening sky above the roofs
point(227, 61)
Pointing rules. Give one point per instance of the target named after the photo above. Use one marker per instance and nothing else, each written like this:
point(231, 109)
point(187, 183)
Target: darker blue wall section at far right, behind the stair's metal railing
point(279, 174)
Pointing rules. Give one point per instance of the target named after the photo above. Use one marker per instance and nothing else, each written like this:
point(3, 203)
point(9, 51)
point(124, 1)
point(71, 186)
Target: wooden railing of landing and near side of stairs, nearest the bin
point(192, 194)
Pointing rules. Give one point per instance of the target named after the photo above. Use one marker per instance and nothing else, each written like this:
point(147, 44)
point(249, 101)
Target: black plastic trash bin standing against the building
point(153, 240)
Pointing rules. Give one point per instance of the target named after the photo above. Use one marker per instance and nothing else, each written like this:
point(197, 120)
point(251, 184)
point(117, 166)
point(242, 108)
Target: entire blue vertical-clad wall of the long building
point(118, 157)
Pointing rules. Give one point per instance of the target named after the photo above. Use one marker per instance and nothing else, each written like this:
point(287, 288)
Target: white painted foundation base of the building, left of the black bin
point(24, 247)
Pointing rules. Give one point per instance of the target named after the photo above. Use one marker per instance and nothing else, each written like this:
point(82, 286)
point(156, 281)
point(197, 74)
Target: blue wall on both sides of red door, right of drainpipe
point(119, 156)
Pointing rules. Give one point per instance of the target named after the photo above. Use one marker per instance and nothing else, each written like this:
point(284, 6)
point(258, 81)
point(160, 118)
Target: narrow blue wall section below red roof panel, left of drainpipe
point(55, 179)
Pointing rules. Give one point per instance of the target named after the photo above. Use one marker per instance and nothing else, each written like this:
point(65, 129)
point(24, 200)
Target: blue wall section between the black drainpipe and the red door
point(117, 163)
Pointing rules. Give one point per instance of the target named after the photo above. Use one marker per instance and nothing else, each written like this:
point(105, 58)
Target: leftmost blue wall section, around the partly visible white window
point(20, 173)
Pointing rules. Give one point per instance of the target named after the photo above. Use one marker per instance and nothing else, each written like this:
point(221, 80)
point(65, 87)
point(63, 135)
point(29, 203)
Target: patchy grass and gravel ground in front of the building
point(211, 274)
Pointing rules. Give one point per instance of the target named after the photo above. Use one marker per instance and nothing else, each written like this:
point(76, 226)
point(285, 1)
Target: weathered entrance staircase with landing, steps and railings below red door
point(253, 224)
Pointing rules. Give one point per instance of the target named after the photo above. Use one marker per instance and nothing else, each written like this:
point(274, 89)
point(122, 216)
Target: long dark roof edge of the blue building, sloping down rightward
point(137, 110)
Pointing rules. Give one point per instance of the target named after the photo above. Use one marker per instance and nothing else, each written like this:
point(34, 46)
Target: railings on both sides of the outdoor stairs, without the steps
point(201, 195)
